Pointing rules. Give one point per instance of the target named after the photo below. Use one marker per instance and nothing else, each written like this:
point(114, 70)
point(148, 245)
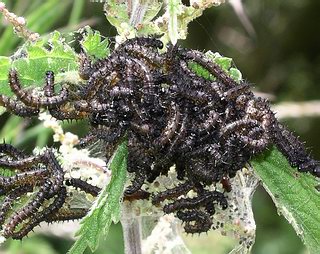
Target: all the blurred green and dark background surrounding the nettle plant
point(280, 56)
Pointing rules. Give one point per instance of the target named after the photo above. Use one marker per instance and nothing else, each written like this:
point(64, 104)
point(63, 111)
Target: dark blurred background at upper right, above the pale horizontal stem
point(282, 57)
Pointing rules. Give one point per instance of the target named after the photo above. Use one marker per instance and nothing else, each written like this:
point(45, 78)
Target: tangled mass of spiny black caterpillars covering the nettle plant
point(208, 128)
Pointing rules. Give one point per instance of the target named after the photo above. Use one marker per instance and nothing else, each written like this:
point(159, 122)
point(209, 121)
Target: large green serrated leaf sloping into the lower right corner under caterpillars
point(294, 194)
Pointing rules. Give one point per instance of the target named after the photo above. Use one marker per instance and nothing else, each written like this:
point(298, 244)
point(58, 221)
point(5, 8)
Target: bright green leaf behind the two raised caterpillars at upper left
point(32, 61)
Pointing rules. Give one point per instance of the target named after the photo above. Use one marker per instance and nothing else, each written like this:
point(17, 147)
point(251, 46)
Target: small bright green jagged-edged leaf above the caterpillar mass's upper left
point(94, 45)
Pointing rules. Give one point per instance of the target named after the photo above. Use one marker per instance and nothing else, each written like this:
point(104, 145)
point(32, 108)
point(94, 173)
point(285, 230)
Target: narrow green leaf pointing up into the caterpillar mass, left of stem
point(106, 208)
